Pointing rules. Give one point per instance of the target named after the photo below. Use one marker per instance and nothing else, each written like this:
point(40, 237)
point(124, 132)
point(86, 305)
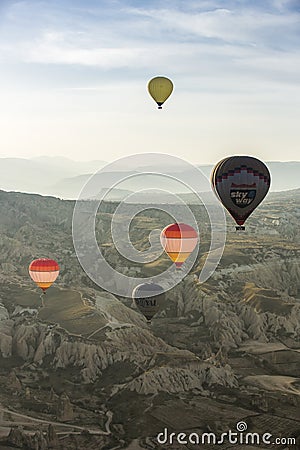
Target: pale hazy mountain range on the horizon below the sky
point(65, 178)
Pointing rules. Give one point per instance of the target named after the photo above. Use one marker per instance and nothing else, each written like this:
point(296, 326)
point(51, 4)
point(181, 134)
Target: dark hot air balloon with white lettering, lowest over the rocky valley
point(148, 298)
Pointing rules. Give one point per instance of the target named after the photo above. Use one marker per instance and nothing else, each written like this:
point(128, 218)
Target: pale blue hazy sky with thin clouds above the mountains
point(74, 74)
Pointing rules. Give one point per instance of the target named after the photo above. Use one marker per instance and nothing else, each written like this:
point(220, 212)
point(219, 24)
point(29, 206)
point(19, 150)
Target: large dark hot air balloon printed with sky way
point(241, 183)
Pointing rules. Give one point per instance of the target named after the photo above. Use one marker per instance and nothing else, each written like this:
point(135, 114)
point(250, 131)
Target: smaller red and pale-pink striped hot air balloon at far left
point(44, 272)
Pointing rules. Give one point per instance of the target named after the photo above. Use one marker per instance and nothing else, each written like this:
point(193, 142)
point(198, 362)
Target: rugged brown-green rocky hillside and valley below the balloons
point(88, 365)
